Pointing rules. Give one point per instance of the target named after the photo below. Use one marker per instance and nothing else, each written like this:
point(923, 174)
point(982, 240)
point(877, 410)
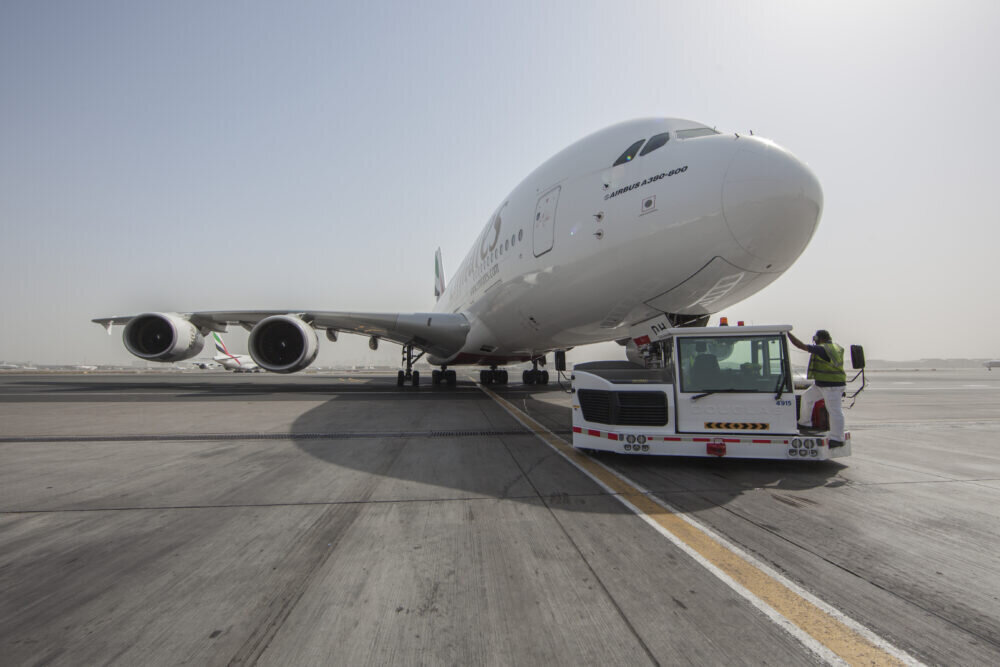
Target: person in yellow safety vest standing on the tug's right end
point(826, 369)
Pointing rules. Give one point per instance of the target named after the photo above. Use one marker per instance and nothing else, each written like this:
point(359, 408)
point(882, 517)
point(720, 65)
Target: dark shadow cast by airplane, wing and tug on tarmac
point(432, 435)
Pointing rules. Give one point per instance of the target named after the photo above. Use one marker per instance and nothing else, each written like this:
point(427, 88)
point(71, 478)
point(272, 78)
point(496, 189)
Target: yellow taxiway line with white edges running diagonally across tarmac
point(820, 627)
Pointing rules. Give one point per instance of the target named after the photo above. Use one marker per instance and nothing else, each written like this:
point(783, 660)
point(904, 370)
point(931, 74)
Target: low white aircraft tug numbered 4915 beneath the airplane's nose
point(706, 392)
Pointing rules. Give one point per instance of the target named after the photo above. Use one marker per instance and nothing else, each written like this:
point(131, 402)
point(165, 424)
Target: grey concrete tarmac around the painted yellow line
point(212, 518)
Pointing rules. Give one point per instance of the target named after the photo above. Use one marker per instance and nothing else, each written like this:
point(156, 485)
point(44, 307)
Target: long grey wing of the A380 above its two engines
point(439, 334)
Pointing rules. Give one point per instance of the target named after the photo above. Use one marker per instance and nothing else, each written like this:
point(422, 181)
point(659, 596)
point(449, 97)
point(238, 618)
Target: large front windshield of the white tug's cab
point(741, 364)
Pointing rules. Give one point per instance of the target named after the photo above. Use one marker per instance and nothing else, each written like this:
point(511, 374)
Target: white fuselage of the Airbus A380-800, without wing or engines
point(581, 249)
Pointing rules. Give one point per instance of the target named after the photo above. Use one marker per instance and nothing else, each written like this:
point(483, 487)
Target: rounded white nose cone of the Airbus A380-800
point(772, 203)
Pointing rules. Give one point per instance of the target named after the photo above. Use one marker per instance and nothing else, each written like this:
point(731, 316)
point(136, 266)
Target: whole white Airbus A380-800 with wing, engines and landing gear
point(647, 217)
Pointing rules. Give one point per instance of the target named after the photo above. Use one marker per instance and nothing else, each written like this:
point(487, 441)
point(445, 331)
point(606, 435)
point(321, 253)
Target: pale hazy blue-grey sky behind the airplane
point(251, 155)
